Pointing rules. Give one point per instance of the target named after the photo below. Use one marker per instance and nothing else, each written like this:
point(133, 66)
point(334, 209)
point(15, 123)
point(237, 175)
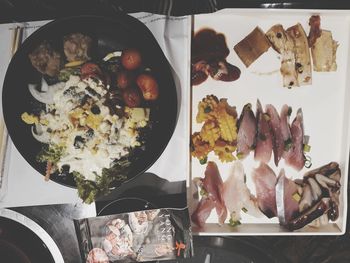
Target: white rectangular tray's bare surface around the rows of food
point(324, 106)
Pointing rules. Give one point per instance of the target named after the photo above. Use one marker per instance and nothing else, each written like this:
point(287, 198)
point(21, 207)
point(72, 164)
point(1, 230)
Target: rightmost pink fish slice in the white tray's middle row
point(295, 157)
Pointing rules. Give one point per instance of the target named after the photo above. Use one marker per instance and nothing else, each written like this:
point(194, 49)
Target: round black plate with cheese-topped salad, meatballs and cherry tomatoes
point(90, 102)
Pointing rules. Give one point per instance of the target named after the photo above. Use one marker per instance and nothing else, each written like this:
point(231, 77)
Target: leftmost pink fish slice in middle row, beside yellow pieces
point(246, 131)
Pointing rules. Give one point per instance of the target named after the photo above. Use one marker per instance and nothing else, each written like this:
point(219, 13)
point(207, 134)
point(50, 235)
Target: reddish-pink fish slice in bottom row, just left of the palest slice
point(214, 186)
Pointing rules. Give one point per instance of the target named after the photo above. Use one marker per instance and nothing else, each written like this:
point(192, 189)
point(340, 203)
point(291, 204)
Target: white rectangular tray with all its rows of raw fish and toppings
point(270, 122)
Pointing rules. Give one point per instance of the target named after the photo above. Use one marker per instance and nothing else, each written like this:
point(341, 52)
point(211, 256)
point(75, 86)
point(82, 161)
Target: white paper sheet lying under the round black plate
point(27, 187)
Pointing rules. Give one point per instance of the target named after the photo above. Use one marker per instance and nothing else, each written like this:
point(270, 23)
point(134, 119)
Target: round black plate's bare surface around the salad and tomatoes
point(110, 36)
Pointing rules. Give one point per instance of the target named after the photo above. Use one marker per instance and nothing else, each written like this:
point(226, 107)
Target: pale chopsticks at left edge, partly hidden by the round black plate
point(17, 36)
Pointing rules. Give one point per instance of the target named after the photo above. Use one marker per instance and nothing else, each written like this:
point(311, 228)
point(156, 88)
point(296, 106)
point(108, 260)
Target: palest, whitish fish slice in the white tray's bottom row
point(237, 196)
